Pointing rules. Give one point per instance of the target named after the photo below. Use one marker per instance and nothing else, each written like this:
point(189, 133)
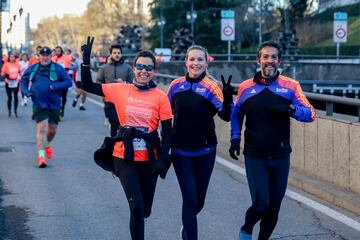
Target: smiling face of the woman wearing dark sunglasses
point(141, 67)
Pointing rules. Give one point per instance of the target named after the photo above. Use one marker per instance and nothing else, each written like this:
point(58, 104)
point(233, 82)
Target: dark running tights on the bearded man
point(267, 181)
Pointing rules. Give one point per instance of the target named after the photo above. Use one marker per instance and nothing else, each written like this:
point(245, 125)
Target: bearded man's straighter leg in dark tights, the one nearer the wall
point(279, 172)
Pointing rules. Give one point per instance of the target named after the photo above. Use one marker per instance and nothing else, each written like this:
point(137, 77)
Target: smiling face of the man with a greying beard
point(269, 61)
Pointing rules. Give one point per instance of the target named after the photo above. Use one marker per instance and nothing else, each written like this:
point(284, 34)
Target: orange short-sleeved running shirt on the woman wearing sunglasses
point(141, 109)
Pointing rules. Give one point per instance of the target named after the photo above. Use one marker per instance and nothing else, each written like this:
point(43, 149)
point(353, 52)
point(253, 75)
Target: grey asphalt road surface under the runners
point(74, 199)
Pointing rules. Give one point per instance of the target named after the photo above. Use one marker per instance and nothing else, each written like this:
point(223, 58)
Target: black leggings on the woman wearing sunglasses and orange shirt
point(139, 185)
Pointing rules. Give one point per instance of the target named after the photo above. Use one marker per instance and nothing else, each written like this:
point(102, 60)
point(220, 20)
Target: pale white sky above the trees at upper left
point(39, 9)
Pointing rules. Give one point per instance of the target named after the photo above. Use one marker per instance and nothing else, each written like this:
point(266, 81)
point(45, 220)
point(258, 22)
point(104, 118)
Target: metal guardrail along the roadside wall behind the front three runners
point(328, 99)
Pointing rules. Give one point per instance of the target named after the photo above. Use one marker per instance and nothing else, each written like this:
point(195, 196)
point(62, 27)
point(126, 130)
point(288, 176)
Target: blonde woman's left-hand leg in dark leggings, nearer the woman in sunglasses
point(184, 169)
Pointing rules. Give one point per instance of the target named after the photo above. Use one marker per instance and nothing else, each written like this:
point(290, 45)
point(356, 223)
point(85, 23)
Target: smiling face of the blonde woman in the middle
point(196, 63)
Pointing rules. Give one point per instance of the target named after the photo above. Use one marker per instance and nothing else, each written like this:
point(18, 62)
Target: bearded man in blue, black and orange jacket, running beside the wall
point(268, 100)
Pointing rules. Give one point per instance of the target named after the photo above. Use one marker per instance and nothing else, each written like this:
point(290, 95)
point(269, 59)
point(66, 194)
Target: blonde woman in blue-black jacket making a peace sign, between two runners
point(195, 99)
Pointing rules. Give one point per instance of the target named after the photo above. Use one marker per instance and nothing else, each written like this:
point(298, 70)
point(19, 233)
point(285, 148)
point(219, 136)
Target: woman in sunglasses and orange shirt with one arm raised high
point(140, 107)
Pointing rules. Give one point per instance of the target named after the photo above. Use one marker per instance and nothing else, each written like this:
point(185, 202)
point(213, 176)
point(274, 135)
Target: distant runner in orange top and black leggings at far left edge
point(11, 72)
